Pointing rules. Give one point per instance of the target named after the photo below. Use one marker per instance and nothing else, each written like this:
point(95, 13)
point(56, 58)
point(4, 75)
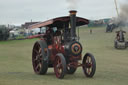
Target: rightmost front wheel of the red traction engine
point(89, 65)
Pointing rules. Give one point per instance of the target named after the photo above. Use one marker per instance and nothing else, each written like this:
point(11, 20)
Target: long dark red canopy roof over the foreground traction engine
point(59, 22)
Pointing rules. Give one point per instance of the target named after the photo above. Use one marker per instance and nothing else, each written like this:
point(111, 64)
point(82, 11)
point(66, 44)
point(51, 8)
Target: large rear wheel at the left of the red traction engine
point(39, 65)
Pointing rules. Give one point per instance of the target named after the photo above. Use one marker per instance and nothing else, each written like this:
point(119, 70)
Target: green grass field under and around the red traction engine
point(112, 64)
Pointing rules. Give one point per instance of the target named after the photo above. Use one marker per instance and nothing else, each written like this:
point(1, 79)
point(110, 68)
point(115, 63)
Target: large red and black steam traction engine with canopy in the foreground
point(60, 48)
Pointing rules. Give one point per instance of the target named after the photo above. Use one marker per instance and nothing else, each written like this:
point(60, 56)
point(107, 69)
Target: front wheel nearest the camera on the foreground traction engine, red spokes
point(60, 66)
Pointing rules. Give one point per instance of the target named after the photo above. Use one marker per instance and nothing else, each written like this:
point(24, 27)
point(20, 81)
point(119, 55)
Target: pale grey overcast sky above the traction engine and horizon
point(20, 11)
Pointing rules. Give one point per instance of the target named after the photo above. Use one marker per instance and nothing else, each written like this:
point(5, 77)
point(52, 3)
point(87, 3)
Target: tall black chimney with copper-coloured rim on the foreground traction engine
point(73, 23)
